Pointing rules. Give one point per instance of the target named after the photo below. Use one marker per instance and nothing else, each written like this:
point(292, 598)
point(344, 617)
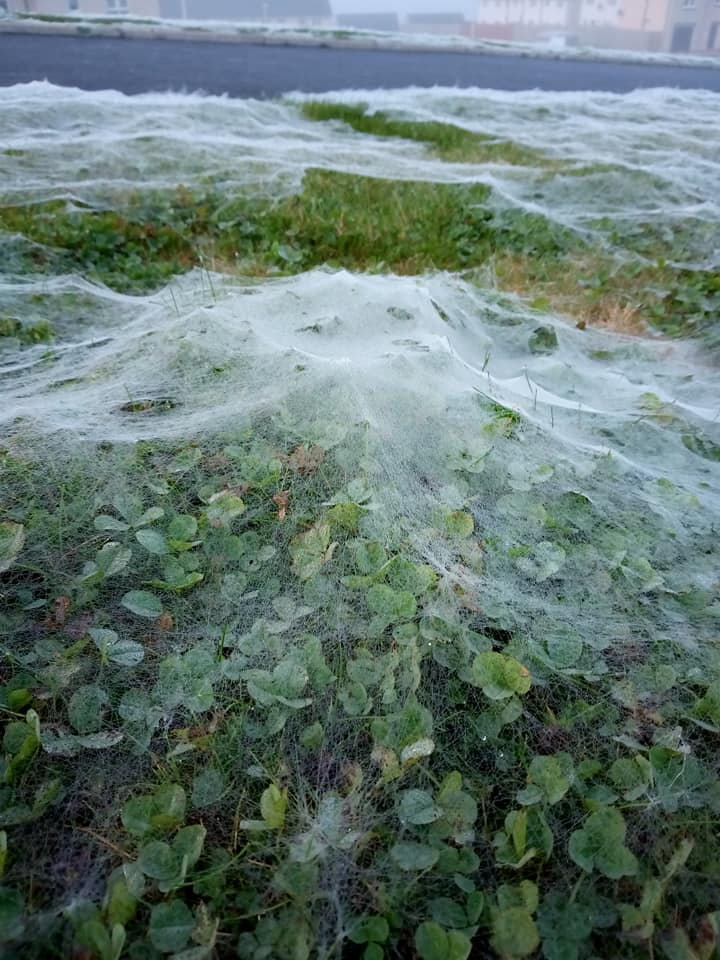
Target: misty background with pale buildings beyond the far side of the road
point(677, 26)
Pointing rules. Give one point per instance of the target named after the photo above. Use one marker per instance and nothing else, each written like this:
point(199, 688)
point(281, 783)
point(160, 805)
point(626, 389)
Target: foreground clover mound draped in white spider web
point(344, 614)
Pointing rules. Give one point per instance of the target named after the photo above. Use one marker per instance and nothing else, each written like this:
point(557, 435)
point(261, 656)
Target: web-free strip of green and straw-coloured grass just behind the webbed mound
point(365, 224)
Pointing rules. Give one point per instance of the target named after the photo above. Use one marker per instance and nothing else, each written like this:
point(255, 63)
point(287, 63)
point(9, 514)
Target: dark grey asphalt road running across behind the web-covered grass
point(248, 70)
